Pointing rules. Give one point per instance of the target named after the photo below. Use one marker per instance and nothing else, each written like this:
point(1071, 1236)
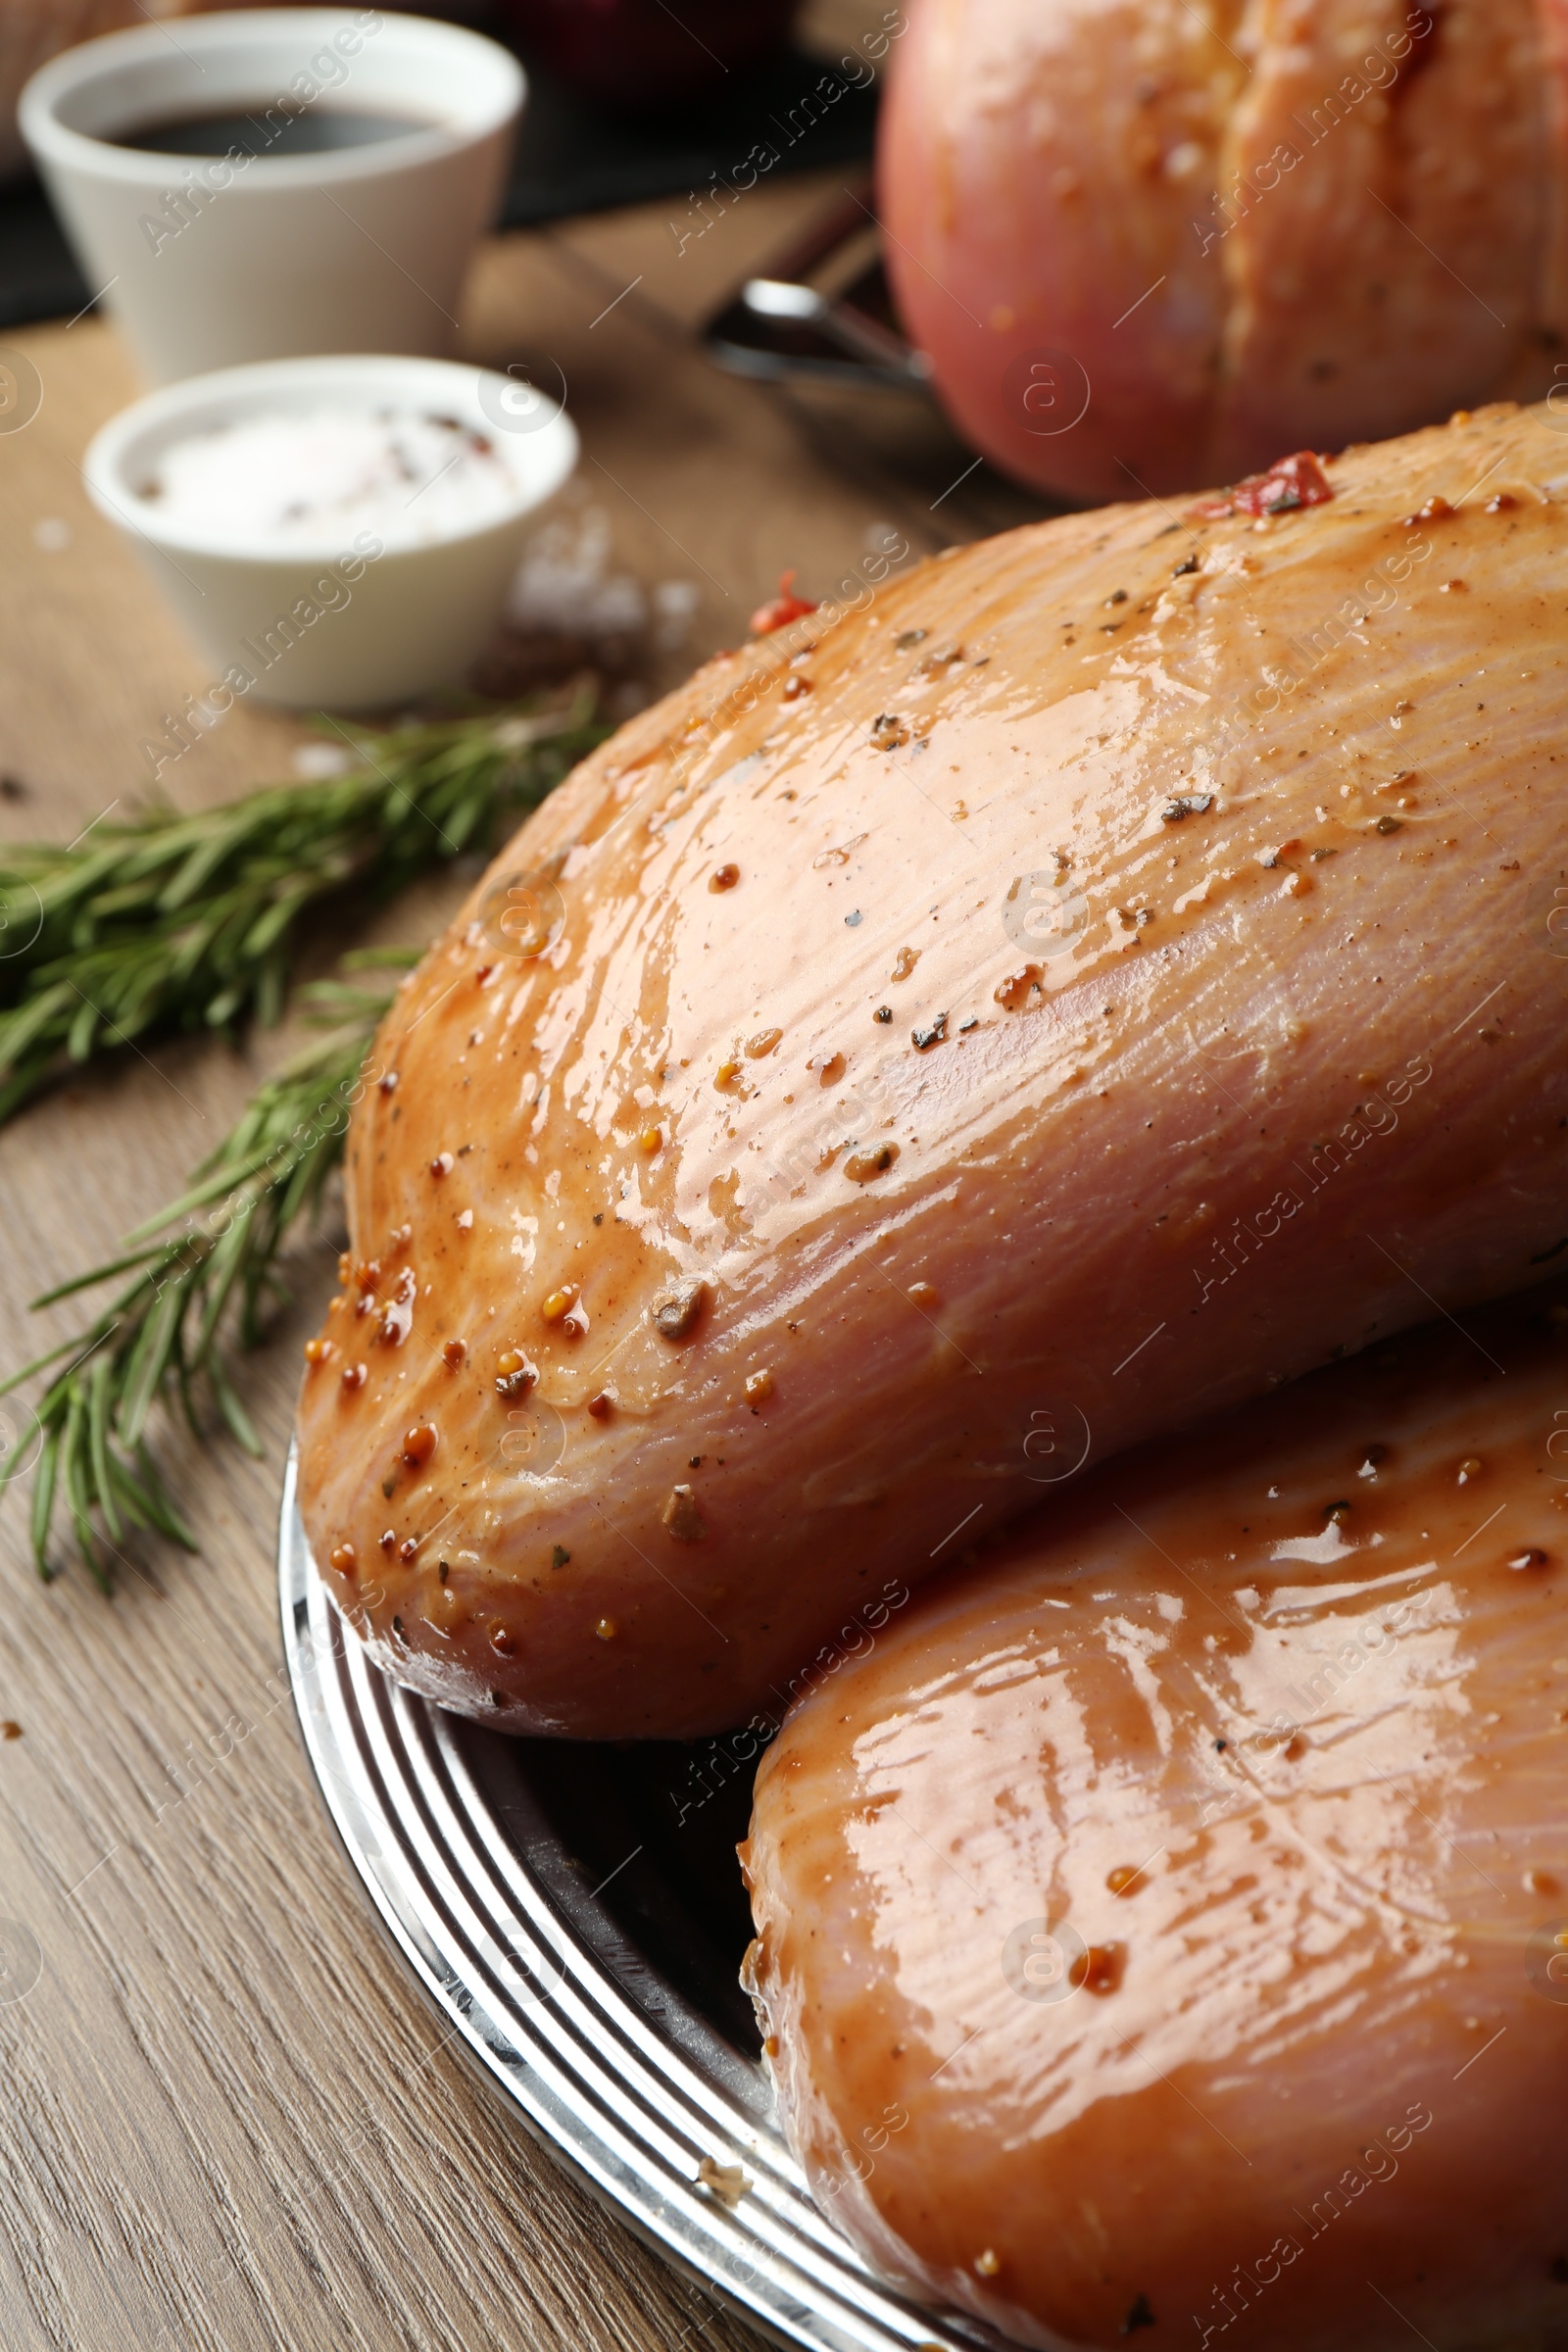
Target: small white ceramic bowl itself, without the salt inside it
point(328, 624)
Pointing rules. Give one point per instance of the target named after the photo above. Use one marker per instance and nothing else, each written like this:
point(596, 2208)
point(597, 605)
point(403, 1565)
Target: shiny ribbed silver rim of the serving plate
point(629, 2118)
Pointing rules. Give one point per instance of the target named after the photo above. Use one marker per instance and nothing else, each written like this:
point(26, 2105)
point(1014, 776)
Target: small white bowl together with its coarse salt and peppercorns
point(333, 533)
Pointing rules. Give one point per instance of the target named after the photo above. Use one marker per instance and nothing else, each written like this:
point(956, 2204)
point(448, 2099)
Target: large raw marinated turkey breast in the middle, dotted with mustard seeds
point(1101, 977)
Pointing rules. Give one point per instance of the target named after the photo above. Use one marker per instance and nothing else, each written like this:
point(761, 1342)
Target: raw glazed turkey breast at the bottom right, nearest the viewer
point(1167, 1925)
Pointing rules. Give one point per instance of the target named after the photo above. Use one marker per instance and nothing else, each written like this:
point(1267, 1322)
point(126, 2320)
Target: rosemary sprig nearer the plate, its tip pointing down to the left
point(192, 1297)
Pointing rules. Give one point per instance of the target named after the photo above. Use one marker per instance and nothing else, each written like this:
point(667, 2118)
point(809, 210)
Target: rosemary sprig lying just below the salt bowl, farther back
point(192, 921)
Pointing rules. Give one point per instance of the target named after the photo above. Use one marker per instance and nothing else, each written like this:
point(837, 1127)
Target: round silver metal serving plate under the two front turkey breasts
point(577, 1916)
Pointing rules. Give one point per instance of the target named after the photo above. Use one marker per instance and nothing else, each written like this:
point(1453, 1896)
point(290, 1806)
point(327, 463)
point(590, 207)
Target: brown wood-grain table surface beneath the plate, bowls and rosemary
point(227, 2116)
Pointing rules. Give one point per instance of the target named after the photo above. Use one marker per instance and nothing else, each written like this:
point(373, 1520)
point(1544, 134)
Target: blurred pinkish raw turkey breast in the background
point(1141, 234)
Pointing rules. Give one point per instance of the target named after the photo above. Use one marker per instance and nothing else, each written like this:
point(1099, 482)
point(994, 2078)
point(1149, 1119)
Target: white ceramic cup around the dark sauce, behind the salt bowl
point(208, 262)
